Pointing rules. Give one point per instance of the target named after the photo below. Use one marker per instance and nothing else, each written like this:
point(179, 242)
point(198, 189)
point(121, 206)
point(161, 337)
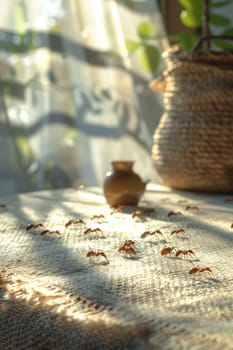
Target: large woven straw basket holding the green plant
point(193, 143)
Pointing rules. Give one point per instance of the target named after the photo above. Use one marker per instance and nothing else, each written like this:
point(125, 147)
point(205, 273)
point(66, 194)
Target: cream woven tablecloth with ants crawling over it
point(52, 296)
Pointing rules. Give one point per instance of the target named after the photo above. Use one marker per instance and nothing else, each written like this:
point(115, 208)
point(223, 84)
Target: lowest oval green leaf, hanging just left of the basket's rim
point(150, 58)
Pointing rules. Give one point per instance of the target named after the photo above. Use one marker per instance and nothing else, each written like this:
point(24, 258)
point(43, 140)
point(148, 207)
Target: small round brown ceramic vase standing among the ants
point(123, 186)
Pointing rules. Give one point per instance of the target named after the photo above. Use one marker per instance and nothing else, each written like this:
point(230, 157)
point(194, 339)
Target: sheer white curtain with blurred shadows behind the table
point(72, 97)
